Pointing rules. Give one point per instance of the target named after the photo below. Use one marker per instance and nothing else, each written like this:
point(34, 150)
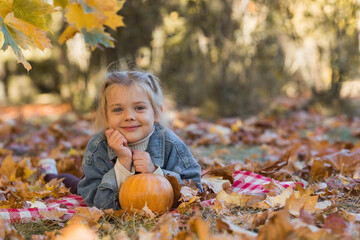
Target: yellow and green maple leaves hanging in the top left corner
point(25, 23)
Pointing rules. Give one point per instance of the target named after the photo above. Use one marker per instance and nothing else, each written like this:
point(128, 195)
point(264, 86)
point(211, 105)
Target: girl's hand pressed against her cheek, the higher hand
point(119, 144)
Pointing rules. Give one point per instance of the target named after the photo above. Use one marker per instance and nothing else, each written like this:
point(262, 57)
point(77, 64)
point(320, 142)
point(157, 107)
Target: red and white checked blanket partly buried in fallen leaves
point(244, 182)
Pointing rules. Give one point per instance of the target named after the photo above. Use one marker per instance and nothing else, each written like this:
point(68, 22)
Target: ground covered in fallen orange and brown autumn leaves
point(321, 154)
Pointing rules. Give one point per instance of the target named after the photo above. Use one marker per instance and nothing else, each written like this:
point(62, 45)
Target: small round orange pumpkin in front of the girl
point(154, 190)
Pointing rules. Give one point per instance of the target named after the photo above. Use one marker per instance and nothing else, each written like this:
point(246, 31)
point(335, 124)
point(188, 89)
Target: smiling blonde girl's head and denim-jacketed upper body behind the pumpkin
point(133, 139)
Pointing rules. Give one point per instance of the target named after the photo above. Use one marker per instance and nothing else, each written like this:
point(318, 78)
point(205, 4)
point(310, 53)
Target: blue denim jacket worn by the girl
point(99, 188)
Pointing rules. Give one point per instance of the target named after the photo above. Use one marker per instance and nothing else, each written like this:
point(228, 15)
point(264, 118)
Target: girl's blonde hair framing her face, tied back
point(146, 81)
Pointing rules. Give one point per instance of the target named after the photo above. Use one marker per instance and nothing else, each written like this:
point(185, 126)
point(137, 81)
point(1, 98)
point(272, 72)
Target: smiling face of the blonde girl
point(129, 110)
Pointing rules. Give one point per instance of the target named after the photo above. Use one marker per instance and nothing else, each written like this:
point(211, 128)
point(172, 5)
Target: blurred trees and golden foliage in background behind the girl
point(226, 57)
